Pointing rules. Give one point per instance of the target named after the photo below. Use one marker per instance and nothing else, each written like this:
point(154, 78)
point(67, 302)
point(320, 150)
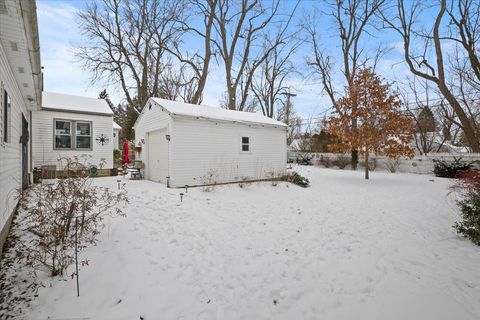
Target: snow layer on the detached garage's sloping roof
point(203, 111)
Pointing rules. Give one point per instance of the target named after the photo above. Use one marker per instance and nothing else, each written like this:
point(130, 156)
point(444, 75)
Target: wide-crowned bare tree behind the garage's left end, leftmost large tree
point(127, 43)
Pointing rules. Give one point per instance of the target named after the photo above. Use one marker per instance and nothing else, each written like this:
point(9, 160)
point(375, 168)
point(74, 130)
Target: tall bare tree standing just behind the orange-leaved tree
point(351, 19)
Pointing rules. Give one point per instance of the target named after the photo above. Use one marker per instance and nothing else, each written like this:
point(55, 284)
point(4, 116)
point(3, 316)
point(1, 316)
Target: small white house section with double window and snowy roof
point(70, 126)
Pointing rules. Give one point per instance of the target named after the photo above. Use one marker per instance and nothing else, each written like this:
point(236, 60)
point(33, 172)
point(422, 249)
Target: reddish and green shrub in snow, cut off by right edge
point(468, 186)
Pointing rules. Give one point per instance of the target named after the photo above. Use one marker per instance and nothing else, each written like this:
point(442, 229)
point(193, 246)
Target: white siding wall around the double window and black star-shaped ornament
point(43, 138)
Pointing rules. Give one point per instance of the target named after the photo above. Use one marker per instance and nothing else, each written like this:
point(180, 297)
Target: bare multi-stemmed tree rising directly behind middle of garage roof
point(241, 28)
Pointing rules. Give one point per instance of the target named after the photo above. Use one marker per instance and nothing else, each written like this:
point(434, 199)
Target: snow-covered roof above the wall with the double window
point(69, 103)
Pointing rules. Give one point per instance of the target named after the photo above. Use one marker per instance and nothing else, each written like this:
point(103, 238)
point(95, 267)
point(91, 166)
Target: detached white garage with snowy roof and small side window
point(184, 144)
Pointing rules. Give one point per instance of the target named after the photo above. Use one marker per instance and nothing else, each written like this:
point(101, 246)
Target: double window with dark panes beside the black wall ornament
point(70, 134)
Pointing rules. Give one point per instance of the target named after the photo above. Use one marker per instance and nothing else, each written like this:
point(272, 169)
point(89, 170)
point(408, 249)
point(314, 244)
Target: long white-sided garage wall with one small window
point(201, 147)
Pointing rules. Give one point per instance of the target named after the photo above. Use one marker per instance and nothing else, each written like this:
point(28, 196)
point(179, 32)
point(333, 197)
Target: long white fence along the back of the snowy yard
point(419, 164)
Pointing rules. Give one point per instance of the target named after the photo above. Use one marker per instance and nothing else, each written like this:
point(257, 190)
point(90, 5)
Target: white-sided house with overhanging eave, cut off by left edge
point(20, 93)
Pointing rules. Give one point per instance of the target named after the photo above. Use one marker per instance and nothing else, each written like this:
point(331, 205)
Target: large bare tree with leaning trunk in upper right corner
point(462, 32)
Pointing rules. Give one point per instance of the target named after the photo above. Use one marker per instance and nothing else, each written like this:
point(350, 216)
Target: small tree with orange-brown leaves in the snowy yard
point(382, 126)
